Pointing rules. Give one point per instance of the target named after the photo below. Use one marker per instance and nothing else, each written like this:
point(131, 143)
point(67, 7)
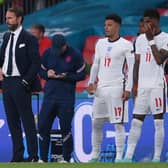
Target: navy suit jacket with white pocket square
point(27, 57)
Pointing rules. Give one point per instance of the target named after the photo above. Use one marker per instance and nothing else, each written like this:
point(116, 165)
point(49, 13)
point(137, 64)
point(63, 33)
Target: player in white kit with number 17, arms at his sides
point(111, 54)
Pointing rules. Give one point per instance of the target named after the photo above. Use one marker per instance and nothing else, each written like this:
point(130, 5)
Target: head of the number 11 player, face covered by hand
point(152, 16)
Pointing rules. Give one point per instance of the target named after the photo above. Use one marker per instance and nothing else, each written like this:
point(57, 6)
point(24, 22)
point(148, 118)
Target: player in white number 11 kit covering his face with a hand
point(150, 55)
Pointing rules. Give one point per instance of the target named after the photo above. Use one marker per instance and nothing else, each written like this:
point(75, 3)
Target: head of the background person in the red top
point(37, 30)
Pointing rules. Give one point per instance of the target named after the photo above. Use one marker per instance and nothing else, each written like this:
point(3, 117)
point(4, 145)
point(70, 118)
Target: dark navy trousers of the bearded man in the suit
point(18, 107)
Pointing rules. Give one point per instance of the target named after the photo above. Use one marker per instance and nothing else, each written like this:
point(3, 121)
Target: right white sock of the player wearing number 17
point(119, 140)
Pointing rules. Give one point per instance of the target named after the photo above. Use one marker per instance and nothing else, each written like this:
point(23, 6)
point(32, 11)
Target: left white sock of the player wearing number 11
point(133, 137)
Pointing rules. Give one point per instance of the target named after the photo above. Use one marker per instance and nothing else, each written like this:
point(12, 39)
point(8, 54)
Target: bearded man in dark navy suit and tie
point(19, 65)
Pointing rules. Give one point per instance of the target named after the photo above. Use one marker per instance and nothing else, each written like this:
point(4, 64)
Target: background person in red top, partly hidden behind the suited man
point(38, 30)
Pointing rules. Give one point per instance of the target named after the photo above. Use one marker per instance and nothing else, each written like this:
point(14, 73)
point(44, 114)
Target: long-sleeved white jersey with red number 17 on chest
point(109, 61)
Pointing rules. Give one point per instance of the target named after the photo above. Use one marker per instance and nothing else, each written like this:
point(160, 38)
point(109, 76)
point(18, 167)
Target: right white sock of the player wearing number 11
point(159, 138)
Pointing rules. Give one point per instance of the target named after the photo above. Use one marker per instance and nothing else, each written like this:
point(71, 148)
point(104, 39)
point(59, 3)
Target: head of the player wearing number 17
point(112, 25)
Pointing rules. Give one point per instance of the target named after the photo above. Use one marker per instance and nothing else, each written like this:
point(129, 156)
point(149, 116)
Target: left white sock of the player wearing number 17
point(97, 135)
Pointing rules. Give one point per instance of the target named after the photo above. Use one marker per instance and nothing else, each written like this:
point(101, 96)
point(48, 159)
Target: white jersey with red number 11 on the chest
point(151, 75)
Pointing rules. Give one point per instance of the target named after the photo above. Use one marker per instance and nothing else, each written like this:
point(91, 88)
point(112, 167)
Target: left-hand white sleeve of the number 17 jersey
point(95, 66)
